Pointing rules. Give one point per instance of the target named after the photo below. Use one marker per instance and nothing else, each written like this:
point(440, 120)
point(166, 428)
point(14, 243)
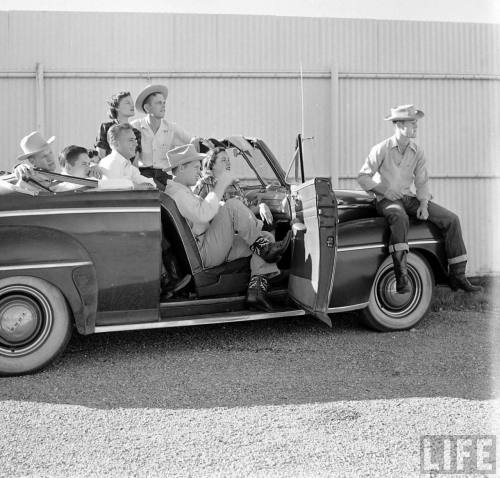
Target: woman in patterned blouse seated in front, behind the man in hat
point(215, 162)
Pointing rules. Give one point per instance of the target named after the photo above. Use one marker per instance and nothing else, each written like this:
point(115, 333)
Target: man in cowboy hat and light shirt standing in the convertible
point(157, 134)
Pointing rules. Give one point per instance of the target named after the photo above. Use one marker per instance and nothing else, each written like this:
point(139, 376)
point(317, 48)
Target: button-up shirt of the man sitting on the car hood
point(387, 166)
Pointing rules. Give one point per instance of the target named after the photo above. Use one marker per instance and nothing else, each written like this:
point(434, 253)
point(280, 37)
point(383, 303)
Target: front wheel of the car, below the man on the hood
point(387, 310)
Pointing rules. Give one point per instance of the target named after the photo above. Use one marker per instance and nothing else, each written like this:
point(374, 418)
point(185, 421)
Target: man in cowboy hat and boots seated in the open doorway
point(223, 232)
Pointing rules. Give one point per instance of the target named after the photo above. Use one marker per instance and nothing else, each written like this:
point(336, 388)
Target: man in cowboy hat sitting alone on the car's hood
point(390, 170)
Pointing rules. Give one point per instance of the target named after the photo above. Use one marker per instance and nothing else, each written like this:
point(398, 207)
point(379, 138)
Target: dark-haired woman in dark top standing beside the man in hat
point(121, 108)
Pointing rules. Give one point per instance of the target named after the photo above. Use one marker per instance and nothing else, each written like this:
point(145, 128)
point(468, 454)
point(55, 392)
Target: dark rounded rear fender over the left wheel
point(57, 258)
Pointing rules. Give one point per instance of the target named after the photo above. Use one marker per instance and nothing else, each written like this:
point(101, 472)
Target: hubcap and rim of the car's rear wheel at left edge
point(25, 320)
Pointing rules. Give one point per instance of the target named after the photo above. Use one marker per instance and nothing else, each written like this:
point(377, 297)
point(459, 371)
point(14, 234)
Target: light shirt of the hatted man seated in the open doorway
point(198, 212)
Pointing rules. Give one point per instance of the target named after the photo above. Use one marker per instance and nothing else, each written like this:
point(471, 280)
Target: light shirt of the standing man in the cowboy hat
point(155, 145)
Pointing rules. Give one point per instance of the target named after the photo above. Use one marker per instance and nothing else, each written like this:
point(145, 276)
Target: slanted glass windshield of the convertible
point(250, 165)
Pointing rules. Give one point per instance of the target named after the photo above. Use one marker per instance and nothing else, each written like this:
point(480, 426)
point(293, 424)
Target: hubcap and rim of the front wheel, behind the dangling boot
point(393, 303)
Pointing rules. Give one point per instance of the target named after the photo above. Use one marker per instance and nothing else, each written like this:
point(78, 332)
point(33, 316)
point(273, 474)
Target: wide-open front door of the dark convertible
point(314, 227)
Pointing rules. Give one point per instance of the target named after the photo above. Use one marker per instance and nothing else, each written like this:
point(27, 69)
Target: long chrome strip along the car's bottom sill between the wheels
point(203, 321)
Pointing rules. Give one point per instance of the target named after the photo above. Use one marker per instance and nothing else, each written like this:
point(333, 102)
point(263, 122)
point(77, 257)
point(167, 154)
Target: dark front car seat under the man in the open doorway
point(225, 279)
